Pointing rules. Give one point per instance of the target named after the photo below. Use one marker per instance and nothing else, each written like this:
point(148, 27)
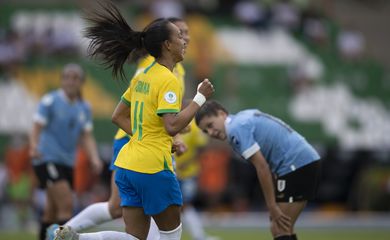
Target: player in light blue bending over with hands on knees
point(275, 149)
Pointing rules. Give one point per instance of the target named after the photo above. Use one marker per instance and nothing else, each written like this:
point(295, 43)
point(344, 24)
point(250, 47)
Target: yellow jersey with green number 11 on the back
point(153, 92)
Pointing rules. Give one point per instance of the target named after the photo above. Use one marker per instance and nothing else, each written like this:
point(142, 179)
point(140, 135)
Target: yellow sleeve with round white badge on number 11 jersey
point(169, 97)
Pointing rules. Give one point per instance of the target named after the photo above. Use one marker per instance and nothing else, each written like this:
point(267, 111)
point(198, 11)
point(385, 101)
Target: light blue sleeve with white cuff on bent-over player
point(242, 140)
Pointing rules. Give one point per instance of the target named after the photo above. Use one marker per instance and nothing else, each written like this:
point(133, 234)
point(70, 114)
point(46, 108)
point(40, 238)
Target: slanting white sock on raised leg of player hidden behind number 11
point(93, 215)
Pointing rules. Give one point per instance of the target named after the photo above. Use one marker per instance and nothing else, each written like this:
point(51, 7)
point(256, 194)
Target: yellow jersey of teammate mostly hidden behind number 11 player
point(142, 65)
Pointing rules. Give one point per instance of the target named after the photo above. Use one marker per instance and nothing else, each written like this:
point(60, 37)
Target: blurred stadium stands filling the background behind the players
point(320, 65)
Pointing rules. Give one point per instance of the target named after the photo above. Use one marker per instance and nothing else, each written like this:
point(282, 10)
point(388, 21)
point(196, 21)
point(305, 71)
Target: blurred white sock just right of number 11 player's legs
point(193, 223)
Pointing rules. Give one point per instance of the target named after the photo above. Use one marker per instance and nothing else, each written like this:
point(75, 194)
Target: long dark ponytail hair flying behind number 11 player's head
point(113, 40)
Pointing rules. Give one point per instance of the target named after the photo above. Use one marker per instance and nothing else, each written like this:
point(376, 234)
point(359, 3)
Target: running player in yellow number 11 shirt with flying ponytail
point(145, 179)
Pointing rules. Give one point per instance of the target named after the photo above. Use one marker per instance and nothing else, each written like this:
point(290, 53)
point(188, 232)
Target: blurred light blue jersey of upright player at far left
point(64, 122)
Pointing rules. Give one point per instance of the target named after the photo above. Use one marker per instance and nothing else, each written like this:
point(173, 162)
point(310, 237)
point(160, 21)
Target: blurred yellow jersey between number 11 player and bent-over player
point(187, 165)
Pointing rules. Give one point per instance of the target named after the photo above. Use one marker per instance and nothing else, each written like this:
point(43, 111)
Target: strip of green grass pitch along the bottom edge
point(258, 234)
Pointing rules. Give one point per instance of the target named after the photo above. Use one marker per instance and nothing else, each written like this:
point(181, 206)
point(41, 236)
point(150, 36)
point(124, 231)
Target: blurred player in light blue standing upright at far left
point(63, 117)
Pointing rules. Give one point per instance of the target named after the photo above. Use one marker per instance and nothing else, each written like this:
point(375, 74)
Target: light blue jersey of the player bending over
point(284, 149)
